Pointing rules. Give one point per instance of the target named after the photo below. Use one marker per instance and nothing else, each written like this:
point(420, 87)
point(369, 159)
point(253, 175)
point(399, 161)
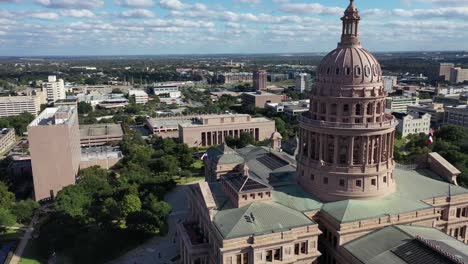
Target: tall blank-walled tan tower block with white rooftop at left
point(54, 144)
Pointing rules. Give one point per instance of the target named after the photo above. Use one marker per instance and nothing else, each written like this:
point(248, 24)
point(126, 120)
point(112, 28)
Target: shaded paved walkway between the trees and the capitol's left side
point(161, 249)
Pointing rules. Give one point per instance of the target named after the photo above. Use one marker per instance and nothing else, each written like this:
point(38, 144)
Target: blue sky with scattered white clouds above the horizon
point(154, 27)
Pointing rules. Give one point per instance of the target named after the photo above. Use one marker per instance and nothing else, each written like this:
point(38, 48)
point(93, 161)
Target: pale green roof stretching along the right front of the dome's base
point(412, 187)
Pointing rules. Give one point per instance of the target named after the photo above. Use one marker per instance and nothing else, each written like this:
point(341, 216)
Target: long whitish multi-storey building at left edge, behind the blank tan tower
point(16, 105)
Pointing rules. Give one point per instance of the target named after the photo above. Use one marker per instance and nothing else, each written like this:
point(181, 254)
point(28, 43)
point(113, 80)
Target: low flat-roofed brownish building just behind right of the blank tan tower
point(100, 134)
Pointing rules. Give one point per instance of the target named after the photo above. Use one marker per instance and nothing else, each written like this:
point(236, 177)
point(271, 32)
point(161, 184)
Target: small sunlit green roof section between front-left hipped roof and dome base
point(294, 197)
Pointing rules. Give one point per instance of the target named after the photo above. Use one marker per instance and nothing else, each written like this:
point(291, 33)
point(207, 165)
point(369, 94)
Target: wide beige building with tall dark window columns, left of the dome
point(212, 130)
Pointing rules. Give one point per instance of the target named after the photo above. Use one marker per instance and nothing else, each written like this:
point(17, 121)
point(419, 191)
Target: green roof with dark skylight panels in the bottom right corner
point(381, 246)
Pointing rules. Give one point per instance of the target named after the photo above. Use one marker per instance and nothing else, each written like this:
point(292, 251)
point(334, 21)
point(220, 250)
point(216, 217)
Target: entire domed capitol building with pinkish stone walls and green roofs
point(342, 199)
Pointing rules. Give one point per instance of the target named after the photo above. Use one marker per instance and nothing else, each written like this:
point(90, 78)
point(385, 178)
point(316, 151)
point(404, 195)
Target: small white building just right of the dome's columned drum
point(413, 123)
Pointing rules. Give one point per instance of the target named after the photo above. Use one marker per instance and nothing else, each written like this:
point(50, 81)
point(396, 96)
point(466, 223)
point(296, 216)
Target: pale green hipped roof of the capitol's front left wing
point(258, 218)
